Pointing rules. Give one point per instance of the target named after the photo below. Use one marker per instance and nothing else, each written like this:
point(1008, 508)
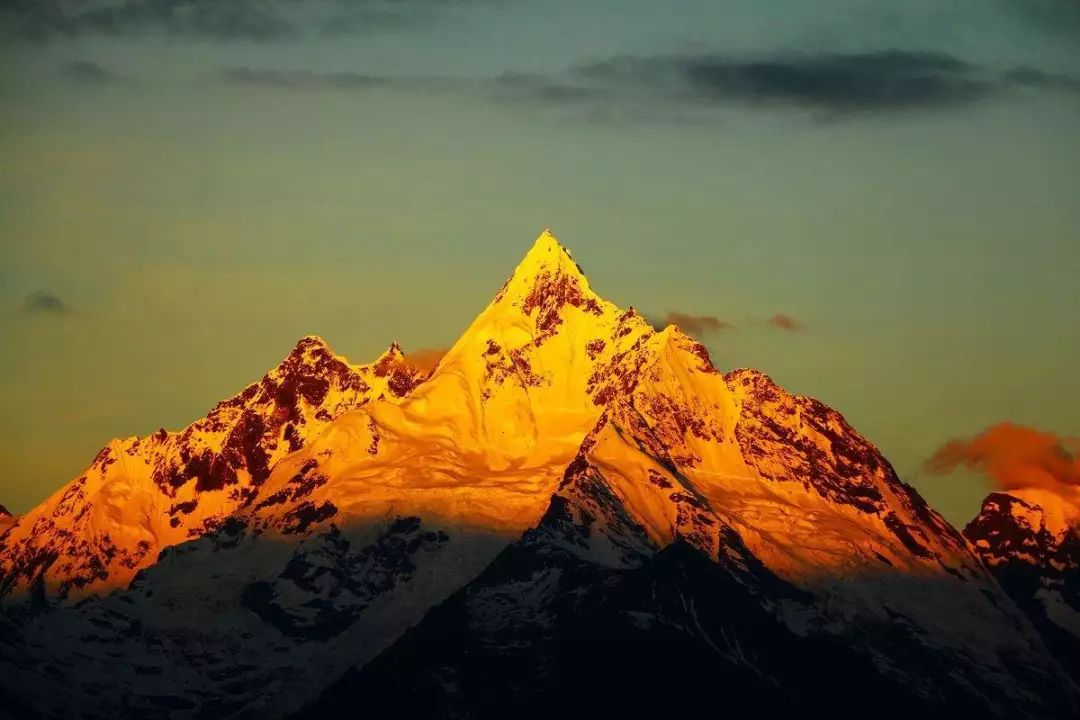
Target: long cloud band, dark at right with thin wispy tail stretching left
point(697, 89)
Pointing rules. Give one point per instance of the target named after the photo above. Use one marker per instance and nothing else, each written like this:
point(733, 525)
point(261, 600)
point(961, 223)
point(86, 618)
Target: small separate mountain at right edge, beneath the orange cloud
point(1031, 541)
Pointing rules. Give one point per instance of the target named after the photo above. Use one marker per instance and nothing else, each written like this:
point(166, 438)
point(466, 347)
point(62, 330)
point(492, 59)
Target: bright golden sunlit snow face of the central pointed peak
point(484, 441)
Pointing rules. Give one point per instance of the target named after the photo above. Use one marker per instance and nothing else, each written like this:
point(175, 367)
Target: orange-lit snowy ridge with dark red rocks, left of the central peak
point(142, 495)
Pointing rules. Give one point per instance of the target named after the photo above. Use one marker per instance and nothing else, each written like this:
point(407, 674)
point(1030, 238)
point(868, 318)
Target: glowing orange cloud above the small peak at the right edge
point(1015, 457)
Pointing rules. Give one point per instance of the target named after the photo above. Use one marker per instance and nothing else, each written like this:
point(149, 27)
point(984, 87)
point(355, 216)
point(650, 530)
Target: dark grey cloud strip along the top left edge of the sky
point(261, 21)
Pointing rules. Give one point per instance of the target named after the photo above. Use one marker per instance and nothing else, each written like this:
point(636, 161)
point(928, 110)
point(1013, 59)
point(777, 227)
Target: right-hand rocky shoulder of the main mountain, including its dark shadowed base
point(789, 528)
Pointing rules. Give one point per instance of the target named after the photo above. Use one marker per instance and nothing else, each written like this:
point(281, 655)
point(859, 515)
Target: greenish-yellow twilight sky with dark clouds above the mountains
point(874, 202)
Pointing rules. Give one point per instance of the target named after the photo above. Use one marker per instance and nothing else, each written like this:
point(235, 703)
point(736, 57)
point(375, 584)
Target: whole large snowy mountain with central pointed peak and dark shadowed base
point(563, 461)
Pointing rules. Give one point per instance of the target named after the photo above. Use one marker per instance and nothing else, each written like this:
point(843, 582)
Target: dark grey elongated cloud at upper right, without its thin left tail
point(829, 86)
